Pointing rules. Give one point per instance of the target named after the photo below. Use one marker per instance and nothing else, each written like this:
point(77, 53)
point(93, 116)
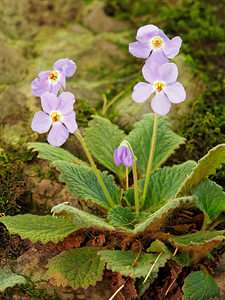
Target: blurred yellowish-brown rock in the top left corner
point(29, 15)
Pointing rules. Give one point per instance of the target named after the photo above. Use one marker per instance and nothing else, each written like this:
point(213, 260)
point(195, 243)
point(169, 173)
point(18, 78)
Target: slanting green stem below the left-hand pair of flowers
point(81, 139)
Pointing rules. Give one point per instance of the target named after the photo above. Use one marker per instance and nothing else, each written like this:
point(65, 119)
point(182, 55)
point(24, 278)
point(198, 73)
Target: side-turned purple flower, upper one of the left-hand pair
point(52, 81)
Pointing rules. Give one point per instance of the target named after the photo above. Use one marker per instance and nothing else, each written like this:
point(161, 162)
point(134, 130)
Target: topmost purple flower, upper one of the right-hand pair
point(151, 39)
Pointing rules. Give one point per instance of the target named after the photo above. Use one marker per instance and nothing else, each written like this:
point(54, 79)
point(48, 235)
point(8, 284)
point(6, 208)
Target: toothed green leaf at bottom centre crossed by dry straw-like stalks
point(119, 261)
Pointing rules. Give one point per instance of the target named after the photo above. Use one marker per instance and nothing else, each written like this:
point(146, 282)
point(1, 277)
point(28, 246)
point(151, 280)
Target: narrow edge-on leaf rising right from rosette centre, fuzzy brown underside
point(158, 218)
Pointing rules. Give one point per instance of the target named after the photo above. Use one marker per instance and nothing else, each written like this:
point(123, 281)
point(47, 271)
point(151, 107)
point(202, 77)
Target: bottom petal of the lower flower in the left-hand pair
point(58, 134)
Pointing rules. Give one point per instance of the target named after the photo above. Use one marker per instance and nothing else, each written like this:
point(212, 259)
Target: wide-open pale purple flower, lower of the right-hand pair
point(162, 81)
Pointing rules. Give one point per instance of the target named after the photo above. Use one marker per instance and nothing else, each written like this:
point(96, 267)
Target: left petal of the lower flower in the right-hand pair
point(142, 91)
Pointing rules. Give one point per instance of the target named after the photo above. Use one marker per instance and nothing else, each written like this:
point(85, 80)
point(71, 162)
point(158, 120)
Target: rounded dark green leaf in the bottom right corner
point(200, 286)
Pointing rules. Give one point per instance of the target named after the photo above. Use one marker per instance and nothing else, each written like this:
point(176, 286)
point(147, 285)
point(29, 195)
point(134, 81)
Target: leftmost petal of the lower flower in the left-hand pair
point(41, 122)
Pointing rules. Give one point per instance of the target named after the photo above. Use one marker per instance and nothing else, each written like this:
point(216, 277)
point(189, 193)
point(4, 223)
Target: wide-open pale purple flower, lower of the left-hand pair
point(58, 112)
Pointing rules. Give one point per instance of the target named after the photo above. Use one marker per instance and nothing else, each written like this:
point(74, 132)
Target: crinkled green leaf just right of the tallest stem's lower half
point(164, 184)
